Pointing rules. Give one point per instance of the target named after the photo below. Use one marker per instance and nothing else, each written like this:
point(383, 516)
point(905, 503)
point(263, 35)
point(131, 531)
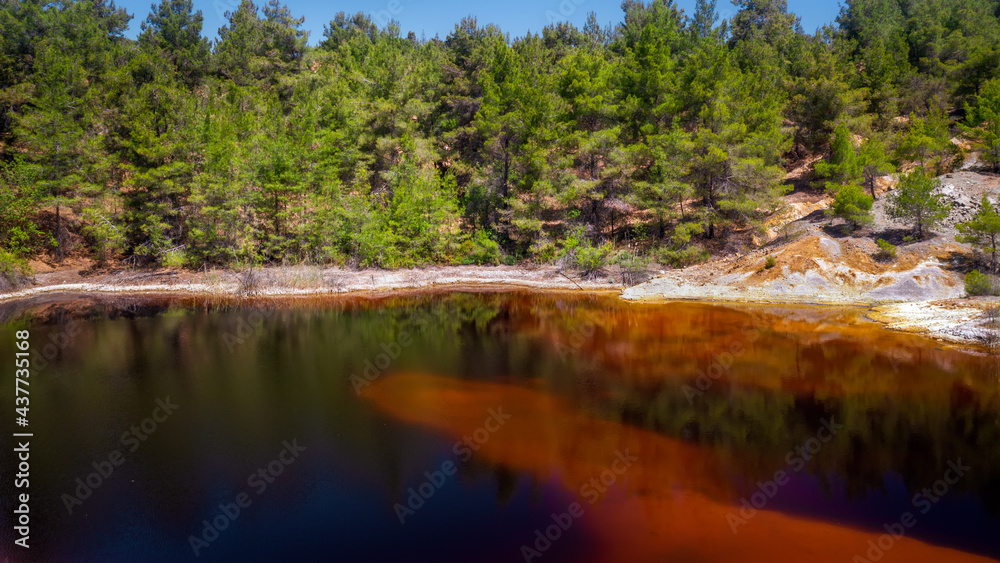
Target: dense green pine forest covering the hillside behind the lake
point(380, 150)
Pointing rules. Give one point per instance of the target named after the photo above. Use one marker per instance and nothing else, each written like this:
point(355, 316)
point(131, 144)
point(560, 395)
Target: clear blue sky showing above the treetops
point(432, 17)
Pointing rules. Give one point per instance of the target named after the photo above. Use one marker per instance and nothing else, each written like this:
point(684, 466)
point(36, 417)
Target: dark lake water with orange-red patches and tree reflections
point(577, 381)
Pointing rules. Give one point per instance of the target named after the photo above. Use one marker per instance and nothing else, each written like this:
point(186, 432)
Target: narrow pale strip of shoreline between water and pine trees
point(953, 321)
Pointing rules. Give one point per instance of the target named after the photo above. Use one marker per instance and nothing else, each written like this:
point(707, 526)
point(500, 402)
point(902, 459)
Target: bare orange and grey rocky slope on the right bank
point(817, 263)
